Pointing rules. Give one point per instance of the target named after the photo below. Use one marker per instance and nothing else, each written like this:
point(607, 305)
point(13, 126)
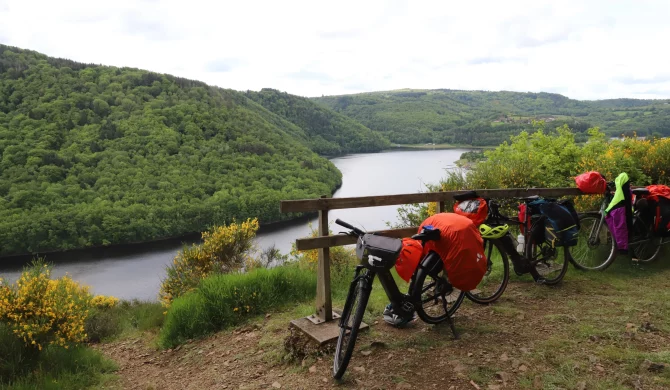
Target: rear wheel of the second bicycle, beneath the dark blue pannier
point(550, 262)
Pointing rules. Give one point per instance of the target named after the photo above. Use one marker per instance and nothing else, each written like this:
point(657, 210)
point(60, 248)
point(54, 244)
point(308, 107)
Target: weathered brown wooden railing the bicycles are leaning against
point(325, 241)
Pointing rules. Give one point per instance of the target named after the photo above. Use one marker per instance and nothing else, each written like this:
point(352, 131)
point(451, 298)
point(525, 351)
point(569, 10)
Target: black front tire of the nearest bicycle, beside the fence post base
point(357, 301)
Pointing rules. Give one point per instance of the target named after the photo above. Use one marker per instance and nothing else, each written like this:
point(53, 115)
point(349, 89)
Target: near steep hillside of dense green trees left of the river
point(93, 155)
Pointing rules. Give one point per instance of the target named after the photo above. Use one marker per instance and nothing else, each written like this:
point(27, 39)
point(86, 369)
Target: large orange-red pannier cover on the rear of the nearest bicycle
point(461, 248)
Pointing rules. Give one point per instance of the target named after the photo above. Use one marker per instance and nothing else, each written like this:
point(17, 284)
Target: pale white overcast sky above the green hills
point(581, 49)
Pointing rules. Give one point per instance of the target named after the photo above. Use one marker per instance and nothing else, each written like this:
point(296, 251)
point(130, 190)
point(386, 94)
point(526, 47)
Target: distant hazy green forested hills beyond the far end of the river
point(489, 118)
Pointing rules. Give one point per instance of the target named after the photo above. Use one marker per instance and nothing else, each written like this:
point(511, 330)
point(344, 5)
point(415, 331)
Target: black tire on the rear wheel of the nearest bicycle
point(420, 289)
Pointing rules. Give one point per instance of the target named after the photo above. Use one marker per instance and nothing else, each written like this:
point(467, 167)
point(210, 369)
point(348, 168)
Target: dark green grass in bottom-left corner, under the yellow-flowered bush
point(54, 368)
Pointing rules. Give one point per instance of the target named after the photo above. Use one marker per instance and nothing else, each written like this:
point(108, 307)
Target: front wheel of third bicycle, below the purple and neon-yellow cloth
point(595, 251)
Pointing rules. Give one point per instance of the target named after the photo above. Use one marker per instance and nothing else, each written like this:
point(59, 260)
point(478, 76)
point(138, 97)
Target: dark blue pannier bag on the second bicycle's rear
point(561, 223)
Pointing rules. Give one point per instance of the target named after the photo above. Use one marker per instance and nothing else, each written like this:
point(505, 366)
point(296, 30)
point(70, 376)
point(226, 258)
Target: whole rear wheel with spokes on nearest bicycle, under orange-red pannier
point(435, 297)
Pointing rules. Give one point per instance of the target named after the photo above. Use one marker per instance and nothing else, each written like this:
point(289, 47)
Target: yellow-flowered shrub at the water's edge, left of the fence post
point(224, 249)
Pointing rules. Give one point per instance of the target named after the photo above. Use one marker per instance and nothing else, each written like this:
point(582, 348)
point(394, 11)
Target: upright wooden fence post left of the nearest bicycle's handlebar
point(324, 304)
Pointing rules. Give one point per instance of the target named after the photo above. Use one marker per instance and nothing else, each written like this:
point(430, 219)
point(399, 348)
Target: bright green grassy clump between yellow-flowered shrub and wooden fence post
point(225, 300)
